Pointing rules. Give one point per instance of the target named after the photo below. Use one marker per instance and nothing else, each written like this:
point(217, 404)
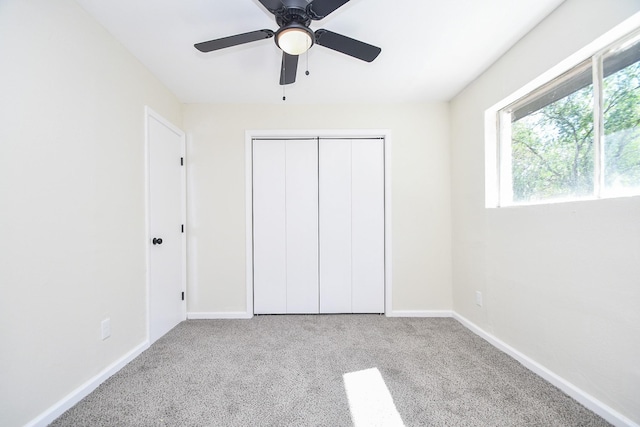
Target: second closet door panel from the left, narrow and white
point(302, 226)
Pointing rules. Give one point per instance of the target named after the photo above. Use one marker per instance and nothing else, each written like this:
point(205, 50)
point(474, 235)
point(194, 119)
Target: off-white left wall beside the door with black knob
point(72, 246)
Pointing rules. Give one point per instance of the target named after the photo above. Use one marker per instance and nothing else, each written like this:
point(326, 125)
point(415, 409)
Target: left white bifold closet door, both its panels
point(285, 226)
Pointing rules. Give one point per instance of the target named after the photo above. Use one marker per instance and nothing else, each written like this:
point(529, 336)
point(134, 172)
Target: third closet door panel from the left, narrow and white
point(335, 226)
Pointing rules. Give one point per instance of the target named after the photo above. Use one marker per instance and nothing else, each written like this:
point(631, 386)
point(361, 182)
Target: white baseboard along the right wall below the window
point(588, 401)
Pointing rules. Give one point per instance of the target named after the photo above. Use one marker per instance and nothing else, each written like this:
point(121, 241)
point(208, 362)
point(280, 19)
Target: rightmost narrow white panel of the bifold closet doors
point(367, 238)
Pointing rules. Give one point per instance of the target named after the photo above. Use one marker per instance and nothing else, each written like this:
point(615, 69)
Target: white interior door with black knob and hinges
point(166, 245)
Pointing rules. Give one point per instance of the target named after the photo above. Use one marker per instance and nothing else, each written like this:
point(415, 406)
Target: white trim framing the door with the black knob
point(151, 114)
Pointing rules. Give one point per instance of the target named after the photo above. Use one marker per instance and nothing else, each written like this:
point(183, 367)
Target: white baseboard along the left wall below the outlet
point(85, 389)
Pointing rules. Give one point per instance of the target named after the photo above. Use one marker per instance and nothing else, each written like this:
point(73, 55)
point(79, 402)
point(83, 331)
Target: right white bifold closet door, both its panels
point(351, 225)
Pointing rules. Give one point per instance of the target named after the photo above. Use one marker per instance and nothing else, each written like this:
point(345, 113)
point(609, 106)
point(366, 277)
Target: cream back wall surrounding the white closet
point(421, 201)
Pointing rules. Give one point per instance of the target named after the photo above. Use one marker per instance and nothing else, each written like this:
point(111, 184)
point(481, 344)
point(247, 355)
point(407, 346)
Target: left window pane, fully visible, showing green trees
point(552, 146)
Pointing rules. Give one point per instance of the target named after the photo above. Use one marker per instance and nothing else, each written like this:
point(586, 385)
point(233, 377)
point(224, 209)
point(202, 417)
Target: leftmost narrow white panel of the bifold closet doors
point(269, 227)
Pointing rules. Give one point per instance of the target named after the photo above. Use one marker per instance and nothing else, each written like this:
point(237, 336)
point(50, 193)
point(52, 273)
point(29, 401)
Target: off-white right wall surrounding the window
point(561, 282)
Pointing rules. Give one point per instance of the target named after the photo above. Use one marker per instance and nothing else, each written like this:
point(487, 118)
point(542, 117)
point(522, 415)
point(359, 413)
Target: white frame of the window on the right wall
point(498, 148)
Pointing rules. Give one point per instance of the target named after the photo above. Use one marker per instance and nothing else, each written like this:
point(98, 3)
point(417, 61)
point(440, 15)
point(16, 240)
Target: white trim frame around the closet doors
point(251, 135)
